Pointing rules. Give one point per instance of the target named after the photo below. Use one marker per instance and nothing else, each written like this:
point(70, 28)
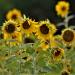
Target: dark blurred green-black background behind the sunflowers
point(35, 9)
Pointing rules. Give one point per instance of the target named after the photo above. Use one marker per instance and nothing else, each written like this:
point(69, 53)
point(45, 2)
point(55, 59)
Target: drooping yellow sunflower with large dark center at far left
point(9, 28)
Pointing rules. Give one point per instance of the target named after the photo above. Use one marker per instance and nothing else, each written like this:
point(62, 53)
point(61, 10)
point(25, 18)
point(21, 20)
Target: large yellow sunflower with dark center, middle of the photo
point(44, 30)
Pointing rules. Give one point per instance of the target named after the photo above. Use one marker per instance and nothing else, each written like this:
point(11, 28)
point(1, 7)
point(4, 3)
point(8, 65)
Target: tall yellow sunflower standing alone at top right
point(62, 8)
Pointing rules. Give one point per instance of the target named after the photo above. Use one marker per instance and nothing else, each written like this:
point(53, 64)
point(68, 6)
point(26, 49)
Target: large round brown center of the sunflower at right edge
point(68, 36)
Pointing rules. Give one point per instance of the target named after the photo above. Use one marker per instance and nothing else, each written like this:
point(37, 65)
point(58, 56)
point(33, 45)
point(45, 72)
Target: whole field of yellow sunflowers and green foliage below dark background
point(30, 47)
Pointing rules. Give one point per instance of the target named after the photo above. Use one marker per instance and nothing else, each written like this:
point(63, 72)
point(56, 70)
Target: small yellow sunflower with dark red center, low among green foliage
point(57, 54)
